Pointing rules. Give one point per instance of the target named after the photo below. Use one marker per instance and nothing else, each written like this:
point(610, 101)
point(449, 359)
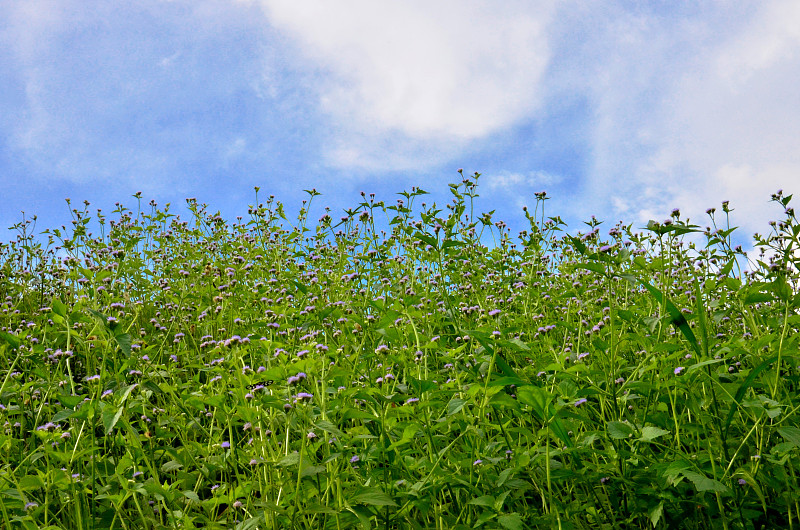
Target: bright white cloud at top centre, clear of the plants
point(419, 72)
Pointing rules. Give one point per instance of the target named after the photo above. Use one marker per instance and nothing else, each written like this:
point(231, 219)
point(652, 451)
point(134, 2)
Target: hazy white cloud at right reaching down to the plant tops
point(692, 110)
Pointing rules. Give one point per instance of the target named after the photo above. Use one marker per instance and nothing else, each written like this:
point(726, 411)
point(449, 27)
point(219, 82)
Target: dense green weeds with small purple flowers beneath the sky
point(169, 372)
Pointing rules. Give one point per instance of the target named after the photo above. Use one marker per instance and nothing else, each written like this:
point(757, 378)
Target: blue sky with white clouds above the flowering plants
point(619, 109)
